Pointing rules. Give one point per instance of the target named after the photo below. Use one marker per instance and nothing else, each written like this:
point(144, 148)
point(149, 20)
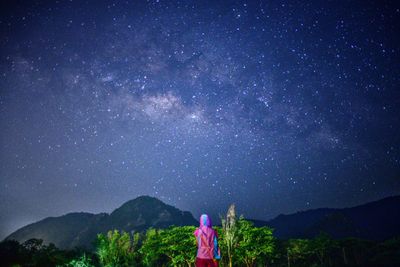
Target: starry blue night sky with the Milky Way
point(274, 106)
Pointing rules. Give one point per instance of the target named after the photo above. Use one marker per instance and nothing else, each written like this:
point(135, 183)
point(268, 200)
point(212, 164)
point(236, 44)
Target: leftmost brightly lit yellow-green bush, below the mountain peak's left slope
point(115, 249)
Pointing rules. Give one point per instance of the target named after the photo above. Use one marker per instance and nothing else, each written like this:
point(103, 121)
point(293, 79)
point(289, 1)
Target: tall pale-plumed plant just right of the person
point(230, 233)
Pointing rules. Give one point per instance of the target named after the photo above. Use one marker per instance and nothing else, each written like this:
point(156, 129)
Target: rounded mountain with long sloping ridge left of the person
point(80, 229)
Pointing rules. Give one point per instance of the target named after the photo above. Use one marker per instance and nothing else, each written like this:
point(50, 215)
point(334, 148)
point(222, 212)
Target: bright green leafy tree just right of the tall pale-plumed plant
point(253, 242)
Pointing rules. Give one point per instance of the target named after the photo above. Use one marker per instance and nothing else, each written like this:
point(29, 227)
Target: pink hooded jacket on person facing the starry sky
point(207, 239)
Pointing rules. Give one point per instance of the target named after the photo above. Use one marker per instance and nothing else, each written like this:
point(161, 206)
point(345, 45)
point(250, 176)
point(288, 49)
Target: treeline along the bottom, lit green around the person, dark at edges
point(240, 242)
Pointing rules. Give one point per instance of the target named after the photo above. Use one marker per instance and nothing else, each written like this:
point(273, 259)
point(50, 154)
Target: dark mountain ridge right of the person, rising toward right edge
point(378, 220)
